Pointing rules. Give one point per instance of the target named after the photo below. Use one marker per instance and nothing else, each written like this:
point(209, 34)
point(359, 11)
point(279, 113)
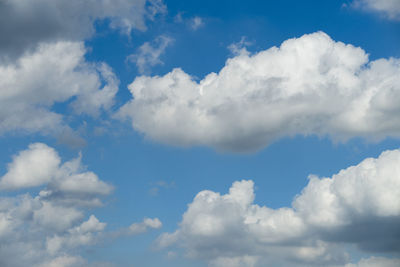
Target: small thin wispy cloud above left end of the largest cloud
point(149, 54)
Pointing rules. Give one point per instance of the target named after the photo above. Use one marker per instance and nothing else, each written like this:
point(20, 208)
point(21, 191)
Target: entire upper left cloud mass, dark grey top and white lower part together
point(43, 66)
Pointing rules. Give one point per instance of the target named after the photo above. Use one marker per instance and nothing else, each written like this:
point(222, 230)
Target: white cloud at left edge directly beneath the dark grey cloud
point(52, 74)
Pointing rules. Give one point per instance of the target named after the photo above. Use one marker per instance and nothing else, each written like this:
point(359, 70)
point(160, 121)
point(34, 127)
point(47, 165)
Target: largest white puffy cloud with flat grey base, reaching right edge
point(309, 85)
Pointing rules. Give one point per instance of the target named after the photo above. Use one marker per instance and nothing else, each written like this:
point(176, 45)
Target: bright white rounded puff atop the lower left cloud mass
point(40, 164)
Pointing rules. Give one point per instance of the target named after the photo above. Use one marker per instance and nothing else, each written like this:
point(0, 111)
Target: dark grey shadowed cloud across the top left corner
point(24, 23)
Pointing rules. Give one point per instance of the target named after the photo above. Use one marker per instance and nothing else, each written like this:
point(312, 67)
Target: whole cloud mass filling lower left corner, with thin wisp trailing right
point(48, 229)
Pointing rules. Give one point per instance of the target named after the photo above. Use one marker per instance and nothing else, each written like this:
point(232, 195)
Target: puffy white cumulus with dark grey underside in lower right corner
point(359, 206)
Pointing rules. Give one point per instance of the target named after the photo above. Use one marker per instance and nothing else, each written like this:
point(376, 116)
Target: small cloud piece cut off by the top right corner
point(388, 8)
